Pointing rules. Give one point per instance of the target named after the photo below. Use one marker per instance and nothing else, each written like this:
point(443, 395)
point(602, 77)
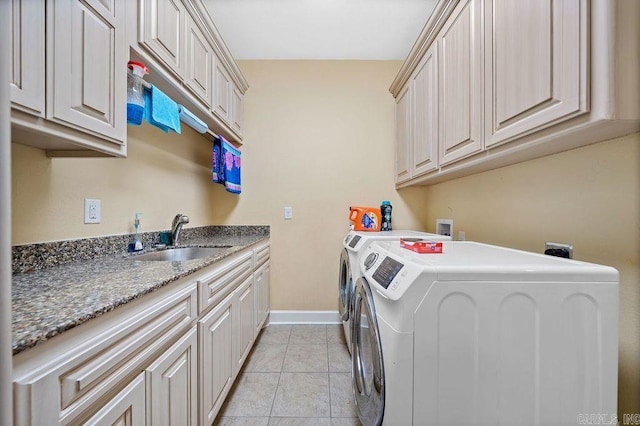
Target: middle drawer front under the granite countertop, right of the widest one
point(214, 287)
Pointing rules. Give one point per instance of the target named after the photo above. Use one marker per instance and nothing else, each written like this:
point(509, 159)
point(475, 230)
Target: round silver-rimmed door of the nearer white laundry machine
point(367, 370)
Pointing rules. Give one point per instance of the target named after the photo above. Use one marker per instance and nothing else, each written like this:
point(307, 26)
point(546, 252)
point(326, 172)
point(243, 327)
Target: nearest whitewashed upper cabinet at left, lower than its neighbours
point(68, 87)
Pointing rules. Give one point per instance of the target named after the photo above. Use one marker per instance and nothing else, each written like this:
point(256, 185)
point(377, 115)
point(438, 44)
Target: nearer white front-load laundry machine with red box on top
point(482, 335)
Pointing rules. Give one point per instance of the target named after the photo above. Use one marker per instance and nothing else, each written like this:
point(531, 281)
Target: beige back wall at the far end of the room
point(318, 138)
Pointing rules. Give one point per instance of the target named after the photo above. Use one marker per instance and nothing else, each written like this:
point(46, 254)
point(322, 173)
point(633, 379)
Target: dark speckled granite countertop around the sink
point(51, 300)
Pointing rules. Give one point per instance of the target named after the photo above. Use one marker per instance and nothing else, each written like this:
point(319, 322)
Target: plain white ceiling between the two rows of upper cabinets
point(320, 29)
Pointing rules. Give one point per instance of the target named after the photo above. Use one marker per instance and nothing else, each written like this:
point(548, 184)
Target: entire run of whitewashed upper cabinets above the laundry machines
point(517, 80)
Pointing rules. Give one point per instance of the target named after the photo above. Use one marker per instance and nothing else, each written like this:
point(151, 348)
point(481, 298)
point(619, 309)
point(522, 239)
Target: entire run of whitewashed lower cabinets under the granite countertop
point(169, 358)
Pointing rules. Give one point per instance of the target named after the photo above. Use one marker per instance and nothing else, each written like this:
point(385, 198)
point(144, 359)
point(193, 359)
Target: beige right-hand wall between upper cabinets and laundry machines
point(589, 197)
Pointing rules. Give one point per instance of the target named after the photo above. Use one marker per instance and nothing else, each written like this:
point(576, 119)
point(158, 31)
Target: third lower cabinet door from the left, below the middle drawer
point(216, 363)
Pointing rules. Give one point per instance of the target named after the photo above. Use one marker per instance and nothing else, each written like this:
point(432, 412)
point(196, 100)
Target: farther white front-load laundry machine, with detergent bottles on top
point(354, 243)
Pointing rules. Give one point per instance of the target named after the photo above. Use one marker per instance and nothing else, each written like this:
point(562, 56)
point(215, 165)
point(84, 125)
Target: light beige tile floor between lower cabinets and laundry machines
point(294, 376)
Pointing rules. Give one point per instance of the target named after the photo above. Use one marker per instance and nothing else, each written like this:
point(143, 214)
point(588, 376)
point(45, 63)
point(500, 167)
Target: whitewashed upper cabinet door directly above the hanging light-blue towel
point(163, 25)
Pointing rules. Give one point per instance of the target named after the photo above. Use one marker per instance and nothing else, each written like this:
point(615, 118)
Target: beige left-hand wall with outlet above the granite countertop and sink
point(164, 174)
